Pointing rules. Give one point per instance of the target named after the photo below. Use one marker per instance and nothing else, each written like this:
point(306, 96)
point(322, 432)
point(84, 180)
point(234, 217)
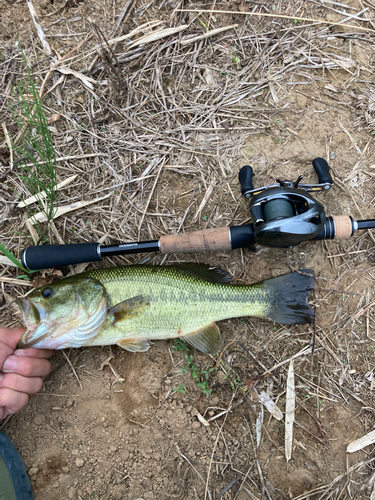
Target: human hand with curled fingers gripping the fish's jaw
point(21, 371)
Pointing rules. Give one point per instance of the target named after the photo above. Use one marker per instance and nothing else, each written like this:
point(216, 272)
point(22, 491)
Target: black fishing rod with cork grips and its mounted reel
point(284, 215)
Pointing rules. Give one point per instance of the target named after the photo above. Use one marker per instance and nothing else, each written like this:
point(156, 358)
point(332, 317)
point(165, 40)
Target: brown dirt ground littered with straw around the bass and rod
point(110, 424)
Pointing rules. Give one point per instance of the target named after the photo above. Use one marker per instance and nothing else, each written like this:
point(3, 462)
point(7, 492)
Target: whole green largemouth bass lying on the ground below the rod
point(131, 305)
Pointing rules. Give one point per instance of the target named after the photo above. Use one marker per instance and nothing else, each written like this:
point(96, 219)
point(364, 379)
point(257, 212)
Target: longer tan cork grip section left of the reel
point(198, 241)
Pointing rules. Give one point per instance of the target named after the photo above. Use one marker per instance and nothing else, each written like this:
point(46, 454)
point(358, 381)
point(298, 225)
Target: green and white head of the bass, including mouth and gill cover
point(67, 313)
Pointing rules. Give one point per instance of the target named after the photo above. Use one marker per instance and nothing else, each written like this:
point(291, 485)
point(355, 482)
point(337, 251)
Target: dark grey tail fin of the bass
point(290, 293)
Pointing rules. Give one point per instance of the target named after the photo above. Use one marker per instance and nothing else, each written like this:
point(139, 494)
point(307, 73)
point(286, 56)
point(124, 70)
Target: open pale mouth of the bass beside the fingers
point(34, 316)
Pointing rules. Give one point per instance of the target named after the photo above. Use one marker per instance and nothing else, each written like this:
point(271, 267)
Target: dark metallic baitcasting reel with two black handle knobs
point(284, 213)
